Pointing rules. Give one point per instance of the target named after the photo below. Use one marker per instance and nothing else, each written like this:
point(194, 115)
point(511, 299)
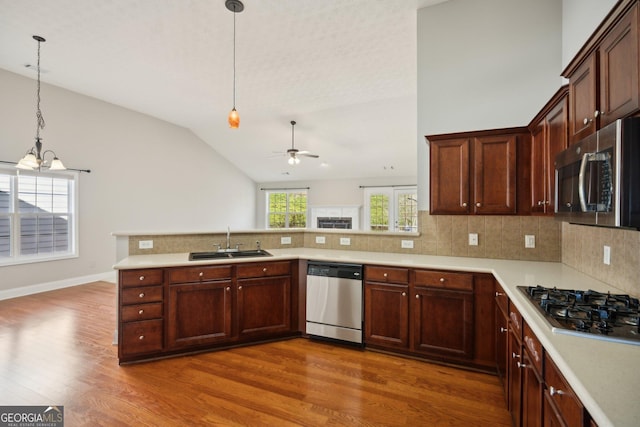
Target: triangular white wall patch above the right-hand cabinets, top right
point(580, 18)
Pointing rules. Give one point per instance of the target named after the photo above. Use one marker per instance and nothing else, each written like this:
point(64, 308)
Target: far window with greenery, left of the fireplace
point(287, 209)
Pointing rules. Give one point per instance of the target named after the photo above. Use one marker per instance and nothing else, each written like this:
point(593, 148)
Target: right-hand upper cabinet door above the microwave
point(619, 70)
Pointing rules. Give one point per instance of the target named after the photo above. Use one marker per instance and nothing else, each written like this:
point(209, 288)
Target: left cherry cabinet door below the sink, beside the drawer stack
point(199, 314)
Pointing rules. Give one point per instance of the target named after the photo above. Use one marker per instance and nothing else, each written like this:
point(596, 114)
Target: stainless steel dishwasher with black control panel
point(334, 301)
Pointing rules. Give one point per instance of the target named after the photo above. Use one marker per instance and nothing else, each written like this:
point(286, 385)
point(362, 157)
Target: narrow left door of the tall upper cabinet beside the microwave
point(539, 167)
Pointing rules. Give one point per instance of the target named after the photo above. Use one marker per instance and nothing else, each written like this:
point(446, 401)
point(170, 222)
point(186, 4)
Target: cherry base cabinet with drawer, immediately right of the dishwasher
point(386, 307)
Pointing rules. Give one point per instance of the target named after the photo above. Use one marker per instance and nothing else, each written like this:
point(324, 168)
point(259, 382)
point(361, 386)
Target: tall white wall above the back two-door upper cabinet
point(482, 65)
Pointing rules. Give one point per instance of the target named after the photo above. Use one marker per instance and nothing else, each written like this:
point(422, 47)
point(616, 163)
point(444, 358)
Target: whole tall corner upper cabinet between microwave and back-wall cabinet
point(549, 136)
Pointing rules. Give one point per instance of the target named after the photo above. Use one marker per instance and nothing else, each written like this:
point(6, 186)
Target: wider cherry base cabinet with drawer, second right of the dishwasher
point(442, 320)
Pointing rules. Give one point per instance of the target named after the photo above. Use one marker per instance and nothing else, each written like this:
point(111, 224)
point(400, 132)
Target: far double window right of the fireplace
point(391, 209)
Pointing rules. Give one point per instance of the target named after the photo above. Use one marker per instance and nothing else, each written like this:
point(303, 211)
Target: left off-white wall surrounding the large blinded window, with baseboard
point(147, 175)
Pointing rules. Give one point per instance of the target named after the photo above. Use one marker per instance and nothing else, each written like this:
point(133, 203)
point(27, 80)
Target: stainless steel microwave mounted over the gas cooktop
point(598, 179)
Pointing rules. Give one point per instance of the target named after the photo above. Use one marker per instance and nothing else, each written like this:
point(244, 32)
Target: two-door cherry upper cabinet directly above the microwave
point(603, 77)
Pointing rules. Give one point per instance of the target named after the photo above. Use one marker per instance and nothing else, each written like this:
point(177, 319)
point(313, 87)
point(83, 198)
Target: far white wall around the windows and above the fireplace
point(345, 192)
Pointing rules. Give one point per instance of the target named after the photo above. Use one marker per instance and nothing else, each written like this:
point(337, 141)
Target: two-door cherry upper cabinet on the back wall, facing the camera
point(476, 172)
